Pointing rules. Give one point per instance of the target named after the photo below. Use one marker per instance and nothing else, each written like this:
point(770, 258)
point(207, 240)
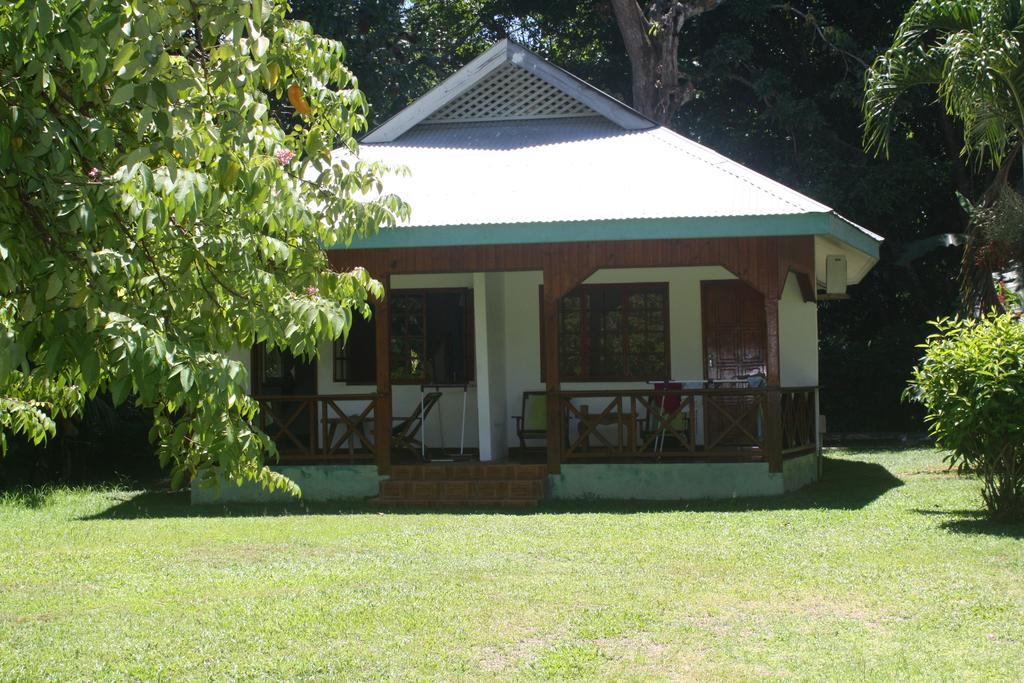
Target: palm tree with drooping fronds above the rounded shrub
point(971, 53)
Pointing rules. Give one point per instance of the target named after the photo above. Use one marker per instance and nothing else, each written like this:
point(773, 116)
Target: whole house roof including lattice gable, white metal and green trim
point(493, 158)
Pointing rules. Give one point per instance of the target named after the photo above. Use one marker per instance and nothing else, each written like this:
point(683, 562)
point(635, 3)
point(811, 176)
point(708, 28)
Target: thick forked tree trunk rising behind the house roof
point(660, 90)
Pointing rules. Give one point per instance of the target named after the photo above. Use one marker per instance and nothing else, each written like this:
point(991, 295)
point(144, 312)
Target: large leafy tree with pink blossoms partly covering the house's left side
point(167, 188)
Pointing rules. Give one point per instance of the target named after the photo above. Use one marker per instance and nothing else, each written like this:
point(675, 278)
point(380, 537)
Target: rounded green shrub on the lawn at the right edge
point(971, 381)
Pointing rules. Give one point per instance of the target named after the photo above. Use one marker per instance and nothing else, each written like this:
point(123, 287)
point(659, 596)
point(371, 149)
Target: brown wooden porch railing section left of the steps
point(336, 428)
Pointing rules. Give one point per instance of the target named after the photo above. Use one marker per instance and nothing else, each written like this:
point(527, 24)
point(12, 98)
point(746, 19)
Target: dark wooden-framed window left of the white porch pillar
point(432, 340)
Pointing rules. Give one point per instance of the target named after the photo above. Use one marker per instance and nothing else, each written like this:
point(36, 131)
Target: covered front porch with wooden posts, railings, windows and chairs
point(712, 358)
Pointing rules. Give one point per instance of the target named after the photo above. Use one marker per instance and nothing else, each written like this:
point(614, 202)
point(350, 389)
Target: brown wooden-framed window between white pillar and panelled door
point(613, 333)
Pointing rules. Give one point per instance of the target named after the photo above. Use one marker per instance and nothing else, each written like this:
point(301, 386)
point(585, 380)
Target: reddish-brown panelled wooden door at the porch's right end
point(735, 347)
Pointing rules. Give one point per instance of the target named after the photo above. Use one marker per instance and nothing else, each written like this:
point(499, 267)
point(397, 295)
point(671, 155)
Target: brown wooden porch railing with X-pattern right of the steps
point(733, 423)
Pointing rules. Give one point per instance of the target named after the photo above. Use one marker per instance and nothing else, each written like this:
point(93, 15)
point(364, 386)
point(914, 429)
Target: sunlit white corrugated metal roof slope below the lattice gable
point(571, 170)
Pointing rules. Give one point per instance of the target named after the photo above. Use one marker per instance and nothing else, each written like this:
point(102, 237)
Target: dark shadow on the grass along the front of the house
point(846, 485)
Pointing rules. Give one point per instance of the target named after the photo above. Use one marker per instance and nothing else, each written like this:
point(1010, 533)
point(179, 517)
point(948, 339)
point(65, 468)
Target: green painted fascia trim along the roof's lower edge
point(622, 231)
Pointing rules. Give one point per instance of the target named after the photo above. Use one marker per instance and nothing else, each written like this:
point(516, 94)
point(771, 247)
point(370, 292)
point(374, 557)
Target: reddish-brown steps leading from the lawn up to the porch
point(465, 485)
